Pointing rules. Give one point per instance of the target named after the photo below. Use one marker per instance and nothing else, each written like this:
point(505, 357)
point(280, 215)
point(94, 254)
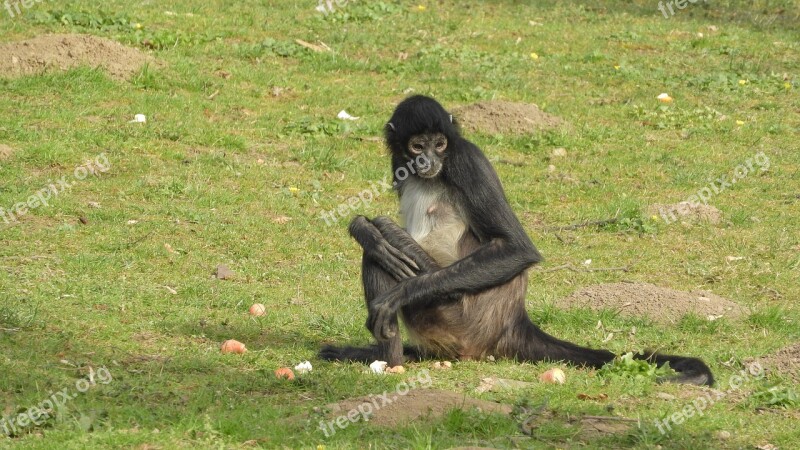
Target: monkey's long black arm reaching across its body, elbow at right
point(505, 253)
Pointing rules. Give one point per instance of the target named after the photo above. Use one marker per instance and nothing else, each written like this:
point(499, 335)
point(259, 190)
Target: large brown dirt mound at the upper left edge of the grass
point(65, 51)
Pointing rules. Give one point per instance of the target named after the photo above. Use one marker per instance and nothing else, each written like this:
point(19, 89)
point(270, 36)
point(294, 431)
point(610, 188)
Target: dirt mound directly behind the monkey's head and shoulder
point(500, 117)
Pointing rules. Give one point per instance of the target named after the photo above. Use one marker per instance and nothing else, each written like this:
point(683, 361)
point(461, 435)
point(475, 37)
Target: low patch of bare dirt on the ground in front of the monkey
point(418, 403)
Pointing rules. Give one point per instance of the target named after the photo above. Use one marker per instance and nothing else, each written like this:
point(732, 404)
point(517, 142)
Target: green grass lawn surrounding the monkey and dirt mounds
point(242, 176)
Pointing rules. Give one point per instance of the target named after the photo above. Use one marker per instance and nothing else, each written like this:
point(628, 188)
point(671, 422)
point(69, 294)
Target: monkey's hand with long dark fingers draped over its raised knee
point(376, 247)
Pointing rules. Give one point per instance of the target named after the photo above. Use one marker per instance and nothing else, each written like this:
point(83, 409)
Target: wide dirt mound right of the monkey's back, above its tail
point(656, 303)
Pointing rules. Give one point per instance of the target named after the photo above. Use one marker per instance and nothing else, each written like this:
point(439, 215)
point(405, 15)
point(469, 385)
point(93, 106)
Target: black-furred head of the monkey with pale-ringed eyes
point(422, 132)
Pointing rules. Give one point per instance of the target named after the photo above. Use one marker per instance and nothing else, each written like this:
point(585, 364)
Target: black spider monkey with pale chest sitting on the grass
point(457, 273)
